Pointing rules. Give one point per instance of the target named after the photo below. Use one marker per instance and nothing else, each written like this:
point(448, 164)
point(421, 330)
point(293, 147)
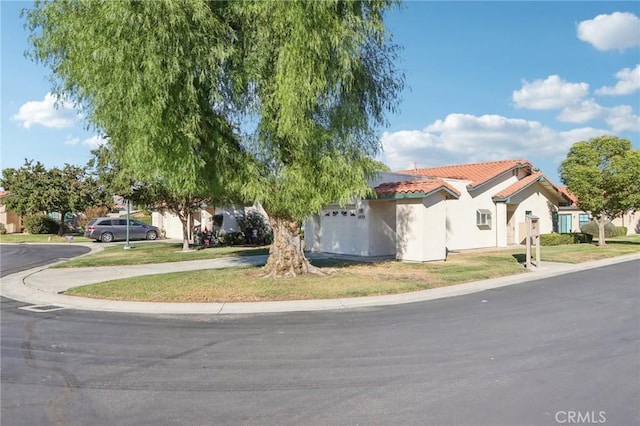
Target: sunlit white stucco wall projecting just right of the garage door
point(420, 227)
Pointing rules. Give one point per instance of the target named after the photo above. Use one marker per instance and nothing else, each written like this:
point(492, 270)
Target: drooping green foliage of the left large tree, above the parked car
point(151, 75)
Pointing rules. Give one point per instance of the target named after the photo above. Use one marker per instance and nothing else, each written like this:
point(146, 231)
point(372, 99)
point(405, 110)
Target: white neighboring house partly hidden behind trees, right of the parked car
point(205, 218)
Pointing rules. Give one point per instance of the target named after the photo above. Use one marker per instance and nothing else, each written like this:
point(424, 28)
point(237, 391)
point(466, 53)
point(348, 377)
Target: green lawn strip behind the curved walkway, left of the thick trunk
point(158, 252)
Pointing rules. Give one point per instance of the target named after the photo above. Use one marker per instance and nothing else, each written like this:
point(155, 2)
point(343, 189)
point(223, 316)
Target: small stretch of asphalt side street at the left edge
point(19, 257)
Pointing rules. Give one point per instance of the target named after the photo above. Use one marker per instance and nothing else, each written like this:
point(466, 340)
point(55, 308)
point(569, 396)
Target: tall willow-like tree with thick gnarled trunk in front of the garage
point(321, 77)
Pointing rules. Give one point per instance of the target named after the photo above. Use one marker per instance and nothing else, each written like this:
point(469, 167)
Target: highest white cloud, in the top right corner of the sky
point(618, 31)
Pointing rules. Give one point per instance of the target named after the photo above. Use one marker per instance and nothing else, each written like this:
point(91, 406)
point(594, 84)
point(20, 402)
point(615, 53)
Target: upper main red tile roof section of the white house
point(477, 173)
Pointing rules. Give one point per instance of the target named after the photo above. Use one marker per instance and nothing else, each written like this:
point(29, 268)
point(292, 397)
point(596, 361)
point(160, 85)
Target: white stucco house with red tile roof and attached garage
point(421, 214)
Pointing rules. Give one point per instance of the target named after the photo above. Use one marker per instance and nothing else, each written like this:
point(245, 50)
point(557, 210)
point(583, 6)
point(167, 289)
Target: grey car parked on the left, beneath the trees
point(107, 229)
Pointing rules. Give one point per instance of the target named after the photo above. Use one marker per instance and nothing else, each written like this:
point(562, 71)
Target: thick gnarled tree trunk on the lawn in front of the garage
point(286, 255)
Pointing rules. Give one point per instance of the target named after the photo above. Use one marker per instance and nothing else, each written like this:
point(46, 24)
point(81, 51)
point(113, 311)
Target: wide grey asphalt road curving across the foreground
point(539, 353)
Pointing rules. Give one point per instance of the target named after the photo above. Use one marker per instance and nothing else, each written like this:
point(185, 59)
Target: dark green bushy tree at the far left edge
point(35, 189)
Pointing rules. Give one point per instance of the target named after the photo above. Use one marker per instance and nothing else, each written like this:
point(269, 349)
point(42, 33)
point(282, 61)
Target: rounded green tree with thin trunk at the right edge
point(604, 175)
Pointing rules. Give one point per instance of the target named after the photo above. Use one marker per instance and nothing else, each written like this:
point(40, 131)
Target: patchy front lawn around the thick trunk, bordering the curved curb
point(351, 279)
